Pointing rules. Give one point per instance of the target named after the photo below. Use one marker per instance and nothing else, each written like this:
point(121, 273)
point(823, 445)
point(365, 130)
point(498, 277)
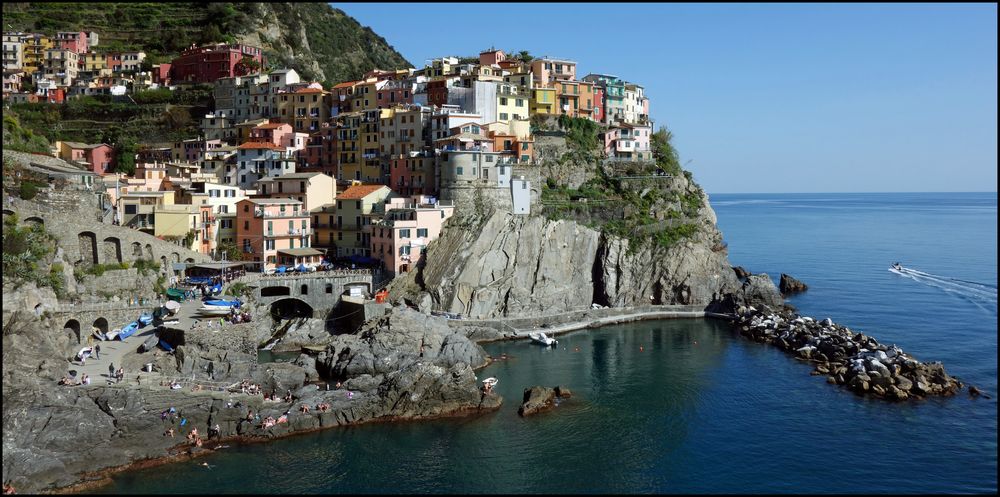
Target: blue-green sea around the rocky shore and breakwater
point(688, 406)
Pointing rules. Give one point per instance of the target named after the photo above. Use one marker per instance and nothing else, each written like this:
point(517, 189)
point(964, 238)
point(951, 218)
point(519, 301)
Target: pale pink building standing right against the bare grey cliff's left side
point(400, 238)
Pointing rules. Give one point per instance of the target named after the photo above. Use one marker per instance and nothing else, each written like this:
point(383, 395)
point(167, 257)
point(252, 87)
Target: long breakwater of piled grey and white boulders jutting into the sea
point(850, 359)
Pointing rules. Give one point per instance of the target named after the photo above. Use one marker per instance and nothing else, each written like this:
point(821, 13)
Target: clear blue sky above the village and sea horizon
point(765, 98)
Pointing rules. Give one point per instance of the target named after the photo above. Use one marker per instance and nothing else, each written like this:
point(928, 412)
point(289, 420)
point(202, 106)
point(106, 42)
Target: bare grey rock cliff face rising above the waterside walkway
point(499, 264)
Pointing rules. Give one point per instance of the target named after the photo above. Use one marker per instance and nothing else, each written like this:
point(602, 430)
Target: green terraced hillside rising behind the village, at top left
point(320, 42)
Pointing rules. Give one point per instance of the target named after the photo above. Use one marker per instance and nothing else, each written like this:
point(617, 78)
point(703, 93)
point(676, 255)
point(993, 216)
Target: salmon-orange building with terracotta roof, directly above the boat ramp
point(273, 232)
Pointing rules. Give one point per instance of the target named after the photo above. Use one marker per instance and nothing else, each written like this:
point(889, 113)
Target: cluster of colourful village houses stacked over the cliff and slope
point(294, 174)
